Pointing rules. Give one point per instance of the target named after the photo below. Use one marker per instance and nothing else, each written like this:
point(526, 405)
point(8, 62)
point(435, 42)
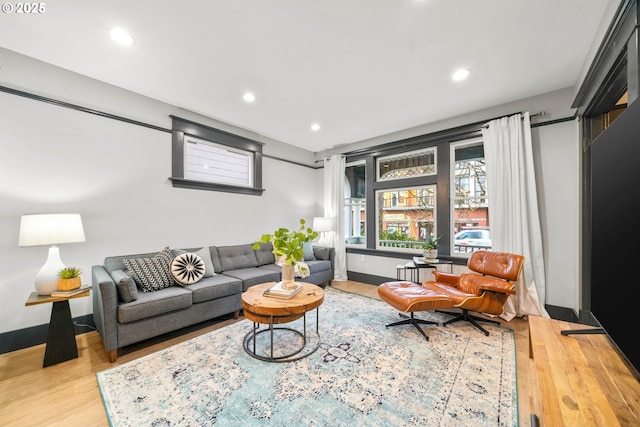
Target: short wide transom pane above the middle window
point(407, 165)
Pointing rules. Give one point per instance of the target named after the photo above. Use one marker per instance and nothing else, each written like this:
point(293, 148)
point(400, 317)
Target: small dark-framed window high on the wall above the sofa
point(210, 159)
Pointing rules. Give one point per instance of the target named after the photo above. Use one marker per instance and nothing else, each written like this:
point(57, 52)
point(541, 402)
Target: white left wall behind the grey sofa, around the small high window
point(115, 174)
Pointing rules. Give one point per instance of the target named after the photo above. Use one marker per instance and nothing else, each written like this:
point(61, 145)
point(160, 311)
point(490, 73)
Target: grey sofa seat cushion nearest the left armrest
point(156, 303)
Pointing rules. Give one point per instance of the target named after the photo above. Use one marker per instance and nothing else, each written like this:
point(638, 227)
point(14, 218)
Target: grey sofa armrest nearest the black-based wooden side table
point(105, 306)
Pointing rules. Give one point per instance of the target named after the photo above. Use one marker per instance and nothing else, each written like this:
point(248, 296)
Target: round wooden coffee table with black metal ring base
point(272, 311)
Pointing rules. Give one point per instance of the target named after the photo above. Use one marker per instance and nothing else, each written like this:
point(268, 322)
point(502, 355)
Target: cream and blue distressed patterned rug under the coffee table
point(362, 374)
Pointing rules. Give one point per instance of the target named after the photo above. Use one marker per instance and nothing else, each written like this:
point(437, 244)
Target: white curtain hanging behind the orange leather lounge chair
point(513, 208)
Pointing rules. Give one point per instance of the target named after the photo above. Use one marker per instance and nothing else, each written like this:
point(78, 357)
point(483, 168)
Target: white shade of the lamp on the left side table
point(50, 229)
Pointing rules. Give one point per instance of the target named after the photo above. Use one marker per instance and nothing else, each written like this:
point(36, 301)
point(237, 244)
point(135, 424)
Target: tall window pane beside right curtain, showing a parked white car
point(471, 229)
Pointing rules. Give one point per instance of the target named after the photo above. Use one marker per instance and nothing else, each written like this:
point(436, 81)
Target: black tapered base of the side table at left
point(61, 339)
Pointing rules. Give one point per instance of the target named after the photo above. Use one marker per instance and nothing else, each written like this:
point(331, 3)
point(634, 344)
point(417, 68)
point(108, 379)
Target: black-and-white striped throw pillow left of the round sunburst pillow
point(152, 274)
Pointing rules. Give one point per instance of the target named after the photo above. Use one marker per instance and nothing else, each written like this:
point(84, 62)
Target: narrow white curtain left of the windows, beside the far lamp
point(333, 208)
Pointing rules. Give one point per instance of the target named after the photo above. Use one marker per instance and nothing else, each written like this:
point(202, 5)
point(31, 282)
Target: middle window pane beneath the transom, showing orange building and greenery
point(406, 217)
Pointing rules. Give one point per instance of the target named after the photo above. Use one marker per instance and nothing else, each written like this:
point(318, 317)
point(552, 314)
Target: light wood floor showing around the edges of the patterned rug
point(67, 394)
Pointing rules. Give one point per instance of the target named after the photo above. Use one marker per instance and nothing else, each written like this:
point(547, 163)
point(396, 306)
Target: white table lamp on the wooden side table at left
point(50, 229)
